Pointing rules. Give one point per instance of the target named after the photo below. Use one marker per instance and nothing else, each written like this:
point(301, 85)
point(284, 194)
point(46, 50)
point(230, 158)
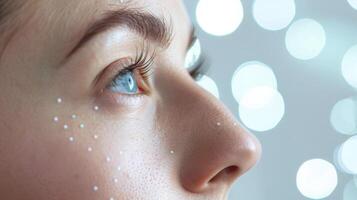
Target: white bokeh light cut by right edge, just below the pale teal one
point(347, 156)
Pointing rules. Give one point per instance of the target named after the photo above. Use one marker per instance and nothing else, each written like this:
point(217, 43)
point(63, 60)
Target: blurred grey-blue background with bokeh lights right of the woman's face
point(288, 71)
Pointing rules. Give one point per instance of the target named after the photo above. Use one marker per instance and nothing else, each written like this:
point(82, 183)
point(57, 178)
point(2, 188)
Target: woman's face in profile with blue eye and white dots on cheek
point(75, 124)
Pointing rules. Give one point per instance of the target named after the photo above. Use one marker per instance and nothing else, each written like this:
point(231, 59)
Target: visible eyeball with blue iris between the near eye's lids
point(124, 83)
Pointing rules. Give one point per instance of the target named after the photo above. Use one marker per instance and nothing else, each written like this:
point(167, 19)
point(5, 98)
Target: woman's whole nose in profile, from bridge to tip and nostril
point(214, 149)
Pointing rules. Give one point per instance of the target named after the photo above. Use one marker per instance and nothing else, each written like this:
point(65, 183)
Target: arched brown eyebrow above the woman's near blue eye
point(145, 24)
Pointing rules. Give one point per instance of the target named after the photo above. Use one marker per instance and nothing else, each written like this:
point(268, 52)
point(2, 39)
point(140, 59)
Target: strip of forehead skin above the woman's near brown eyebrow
point(80, 12)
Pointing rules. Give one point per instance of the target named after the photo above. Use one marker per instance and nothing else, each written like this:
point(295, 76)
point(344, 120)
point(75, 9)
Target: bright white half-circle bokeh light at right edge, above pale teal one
point(349, 66)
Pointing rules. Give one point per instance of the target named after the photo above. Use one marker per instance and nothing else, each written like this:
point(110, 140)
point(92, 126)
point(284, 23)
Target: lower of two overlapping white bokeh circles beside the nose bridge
point(262, 108)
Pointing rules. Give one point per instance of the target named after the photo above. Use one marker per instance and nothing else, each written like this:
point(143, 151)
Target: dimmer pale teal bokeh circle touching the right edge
point(344, 116)
